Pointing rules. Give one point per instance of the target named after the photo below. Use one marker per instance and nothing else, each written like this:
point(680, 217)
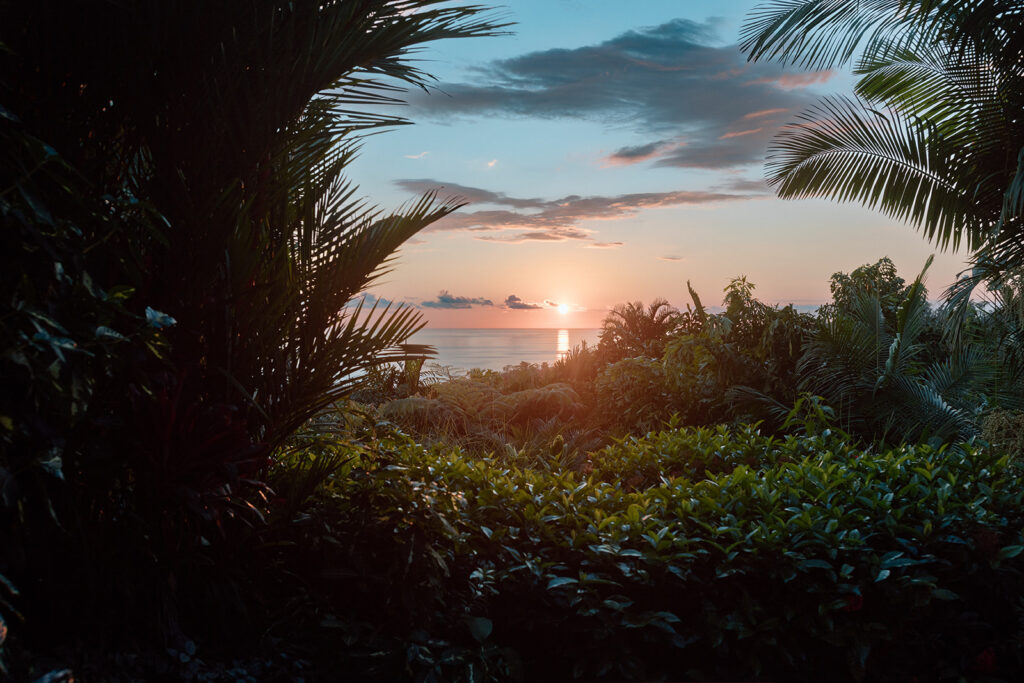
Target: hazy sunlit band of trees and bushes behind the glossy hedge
point(875, 359)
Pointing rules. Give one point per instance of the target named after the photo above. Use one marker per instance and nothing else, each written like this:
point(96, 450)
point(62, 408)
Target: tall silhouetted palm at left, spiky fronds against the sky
point(240, 137)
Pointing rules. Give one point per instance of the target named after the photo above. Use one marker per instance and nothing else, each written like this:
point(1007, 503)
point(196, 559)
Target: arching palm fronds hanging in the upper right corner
point(934, 136)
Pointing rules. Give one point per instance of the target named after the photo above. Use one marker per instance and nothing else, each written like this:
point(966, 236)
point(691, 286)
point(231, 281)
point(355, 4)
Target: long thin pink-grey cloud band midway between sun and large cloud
point(552, 221)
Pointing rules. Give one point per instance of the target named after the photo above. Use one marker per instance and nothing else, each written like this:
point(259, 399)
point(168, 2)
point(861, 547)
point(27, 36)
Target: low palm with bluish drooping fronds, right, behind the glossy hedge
point(878, 375)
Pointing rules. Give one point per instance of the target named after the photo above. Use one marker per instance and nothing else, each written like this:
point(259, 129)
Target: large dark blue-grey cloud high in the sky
point(670, 82)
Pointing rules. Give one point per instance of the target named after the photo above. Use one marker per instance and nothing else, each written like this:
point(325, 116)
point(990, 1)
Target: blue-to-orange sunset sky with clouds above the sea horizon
point(611, 152)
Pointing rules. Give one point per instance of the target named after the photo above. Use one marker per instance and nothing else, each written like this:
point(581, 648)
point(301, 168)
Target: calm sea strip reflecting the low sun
point(494, 350)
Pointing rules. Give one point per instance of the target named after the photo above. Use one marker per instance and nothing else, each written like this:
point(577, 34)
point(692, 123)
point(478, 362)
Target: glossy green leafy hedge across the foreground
point(738, 557)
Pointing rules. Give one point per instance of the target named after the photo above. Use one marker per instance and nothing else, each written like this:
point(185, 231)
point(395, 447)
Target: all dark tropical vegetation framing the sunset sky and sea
point(210, 472)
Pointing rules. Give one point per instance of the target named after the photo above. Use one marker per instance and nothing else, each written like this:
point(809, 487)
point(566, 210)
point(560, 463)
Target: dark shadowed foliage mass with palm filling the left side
point(182, 247)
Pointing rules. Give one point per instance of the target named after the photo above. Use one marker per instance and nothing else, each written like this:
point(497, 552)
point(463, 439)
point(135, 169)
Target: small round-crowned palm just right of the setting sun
point(632, 330)
